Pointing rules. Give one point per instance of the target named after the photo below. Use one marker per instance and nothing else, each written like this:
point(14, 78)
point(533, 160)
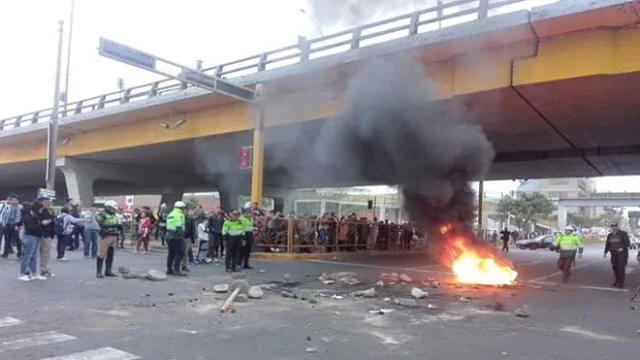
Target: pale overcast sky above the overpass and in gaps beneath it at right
point(184, 31)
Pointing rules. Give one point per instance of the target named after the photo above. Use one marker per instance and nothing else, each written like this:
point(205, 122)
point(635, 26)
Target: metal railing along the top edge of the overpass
point(435, 17)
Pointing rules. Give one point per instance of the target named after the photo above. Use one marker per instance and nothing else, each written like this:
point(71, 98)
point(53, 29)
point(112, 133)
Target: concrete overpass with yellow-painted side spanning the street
point(553, 88)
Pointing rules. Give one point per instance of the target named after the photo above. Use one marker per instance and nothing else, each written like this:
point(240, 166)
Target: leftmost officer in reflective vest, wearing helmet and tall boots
point(110, 229)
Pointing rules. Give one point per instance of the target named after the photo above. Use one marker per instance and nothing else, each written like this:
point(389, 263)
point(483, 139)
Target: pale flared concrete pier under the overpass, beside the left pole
point(79, 181)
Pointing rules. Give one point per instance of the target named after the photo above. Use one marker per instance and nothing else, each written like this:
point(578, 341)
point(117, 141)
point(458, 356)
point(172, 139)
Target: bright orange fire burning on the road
point(474, 264)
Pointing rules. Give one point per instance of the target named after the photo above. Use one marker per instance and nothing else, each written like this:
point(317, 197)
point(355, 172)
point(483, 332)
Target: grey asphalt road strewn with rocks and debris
point(76, 316)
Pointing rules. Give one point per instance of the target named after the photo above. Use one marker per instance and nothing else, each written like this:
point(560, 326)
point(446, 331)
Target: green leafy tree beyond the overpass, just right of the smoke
point(526, 208)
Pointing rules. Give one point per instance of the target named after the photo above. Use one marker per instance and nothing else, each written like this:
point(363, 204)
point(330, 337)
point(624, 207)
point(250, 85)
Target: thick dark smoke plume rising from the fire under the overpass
point(391, 133)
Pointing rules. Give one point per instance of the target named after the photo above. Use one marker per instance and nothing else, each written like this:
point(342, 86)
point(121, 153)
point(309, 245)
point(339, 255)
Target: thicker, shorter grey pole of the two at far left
point(52, 134)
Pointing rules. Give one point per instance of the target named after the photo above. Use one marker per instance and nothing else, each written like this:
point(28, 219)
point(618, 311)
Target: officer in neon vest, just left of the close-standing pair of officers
point(176, 222)
